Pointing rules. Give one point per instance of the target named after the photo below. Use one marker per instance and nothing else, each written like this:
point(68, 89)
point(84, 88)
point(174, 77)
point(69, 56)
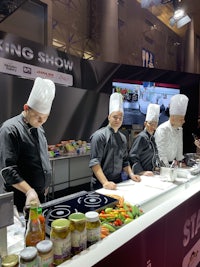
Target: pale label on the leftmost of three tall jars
point(62, 249)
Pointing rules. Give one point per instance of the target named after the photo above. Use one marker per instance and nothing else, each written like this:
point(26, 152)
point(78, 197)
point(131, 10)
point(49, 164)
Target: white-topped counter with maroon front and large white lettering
point(166, 235)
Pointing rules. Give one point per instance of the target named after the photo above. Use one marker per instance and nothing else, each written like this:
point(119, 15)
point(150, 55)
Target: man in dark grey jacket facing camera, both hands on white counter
point(109, 156)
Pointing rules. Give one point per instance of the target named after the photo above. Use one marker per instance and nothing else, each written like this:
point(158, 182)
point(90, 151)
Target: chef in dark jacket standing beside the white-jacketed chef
point(143, 154)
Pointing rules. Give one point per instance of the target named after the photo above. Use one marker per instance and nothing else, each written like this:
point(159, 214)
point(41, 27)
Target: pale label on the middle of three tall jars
point(79, 241)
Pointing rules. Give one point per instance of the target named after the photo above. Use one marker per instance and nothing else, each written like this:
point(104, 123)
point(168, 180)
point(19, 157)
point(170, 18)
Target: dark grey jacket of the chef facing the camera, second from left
point(109, 150)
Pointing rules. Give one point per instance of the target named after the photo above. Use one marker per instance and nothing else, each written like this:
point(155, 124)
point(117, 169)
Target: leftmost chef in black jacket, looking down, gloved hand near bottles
point(24, 161)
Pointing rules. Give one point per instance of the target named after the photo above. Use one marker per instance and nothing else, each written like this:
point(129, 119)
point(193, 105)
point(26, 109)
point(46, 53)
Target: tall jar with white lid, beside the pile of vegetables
point(93, 227)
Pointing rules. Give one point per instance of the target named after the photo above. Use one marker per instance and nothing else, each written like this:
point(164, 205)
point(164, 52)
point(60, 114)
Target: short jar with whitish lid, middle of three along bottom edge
point(28, 257)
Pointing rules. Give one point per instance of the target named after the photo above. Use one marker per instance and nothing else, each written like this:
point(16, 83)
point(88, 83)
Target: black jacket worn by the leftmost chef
point(24, 156)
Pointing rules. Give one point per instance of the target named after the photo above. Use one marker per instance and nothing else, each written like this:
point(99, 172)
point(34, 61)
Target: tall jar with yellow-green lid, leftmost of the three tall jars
point(60, 235)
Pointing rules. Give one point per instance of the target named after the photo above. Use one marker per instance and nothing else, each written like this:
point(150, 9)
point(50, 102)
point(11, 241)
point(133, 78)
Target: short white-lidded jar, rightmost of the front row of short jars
point(45, 253)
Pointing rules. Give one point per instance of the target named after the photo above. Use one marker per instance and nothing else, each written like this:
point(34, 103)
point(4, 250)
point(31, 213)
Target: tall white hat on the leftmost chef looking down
point(42, 95)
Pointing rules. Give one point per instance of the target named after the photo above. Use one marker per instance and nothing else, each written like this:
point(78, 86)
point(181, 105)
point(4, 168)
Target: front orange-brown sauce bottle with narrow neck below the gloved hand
point(33, 232)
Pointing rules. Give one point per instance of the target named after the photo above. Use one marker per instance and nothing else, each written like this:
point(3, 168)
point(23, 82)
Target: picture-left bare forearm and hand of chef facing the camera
point(97, 170)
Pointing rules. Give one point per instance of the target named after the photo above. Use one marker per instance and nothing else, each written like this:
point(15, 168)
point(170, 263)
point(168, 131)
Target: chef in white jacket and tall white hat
point(169, 135)
